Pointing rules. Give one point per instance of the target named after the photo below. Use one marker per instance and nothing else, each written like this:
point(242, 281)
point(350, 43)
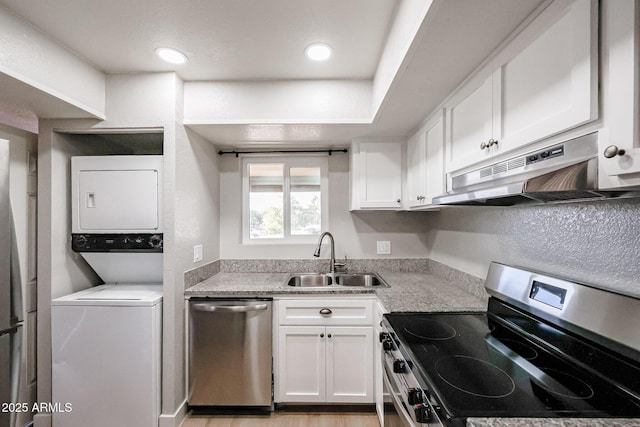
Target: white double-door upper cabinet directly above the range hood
point(542, 83)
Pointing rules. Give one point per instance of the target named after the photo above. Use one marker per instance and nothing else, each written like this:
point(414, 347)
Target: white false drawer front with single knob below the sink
point(325, 312)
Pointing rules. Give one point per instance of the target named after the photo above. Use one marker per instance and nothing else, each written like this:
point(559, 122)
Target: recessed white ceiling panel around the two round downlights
point(223, 39)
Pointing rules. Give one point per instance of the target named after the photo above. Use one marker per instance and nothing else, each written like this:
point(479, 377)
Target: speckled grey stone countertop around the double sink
point(426, 292)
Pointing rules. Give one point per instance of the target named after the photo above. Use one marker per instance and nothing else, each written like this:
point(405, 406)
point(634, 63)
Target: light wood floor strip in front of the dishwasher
point(283, 418)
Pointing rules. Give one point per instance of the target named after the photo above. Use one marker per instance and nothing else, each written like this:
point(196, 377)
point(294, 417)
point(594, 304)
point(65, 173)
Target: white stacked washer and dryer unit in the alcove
point(106, 340)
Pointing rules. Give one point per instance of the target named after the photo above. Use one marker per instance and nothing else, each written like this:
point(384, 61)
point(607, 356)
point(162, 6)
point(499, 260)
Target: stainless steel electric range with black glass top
point(546, 347)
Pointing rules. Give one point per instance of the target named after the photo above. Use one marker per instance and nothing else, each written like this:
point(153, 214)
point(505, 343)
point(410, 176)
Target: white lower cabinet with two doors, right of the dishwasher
point(324, 364)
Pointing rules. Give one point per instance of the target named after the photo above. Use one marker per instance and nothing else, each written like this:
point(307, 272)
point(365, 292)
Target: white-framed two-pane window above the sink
point(285, 199)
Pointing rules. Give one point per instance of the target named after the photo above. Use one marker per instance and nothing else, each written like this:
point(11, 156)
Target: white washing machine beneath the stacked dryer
point(106, 356)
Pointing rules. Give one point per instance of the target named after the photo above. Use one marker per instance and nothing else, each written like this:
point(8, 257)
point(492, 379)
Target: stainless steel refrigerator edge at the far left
point(10, 299)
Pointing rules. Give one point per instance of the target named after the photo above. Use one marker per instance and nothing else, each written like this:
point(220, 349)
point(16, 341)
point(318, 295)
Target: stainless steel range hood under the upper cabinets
point(562, 173)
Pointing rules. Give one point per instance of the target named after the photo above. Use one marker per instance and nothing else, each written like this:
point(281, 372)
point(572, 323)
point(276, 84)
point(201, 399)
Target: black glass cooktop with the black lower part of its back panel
point(508, 364)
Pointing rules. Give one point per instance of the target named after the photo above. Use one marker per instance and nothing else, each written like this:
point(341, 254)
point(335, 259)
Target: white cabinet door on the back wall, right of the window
point(380, 180)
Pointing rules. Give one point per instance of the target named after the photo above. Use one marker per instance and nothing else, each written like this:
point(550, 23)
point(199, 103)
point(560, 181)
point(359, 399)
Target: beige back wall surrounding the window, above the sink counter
point(355, 233)
